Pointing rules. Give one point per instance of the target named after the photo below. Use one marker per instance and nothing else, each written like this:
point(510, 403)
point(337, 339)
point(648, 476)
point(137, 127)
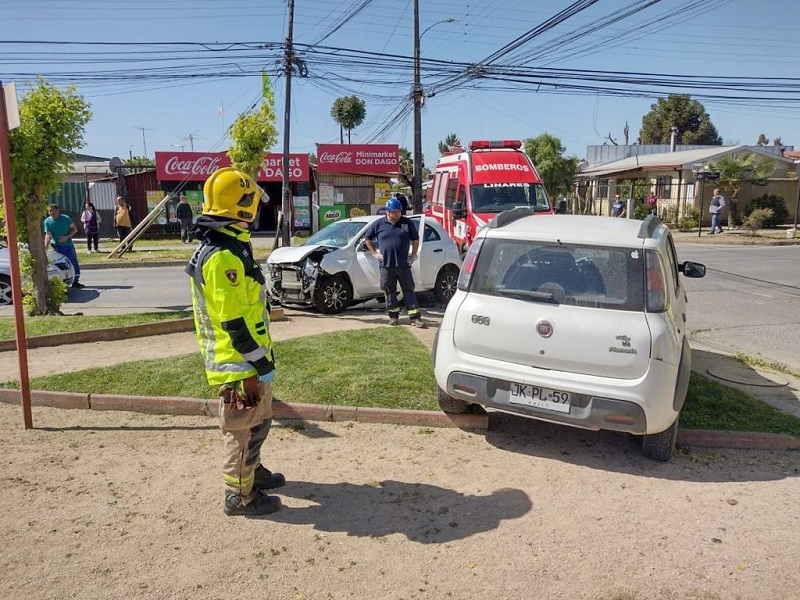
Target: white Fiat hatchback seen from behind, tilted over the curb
point(578, 320)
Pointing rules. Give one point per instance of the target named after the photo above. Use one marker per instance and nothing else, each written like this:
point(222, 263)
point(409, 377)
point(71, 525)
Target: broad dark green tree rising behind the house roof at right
point(678, 110)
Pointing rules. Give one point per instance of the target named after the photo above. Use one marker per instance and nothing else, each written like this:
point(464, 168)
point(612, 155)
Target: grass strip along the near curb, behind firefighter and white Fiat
point(382, 367)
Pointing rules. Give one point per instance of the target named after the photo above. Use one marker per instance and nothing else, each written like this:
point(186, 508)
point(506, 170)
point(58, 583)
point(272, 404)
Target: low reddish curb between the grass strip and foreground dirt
point(287, 411)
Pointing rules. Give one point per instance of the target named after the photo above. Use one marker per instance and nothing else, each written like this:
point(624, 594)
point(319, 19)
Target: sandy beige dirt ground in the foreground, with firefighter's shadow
point(126, 505)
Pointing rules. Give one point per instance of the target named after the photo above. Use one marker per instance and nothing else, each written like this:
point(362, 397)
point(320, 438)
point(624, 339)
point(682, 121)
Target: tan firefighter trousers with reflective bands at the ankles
point(243, 434)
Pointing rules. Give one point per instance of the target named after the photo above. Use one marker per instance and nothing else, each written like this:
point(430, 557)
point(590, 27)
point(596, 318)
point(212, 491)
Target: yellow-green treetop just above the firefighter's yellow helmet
point(253, 134)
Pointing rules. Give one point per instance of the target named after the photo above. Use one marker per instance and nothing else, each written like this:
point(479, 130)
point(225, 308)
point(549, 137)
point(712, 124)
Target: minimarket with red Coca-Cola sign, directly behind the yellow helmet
point(185, 172)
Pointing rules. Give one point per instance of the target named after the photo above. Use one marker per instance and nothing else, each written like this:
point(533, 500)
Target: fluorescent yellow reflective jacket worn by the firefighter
point(231, 312)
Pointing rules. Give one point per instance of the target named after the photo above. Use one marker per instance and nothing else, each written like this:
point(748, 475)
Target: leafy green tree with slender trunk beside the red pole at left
point(52, 123)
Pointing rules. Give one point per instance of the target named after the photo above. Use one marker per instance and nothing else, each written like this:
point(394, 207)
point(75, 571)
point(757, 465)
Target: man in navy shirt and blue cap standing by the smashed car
point(395, 234)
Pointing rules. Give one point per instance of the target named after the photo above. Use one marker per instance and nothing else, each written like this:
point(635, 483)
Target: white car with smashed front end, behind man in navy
point(333, 268)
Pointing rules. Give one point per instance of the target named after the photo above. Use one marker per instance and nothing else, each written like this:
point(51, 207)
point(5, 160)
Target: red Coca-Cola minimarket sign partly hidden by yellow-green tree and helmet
point(197, 166)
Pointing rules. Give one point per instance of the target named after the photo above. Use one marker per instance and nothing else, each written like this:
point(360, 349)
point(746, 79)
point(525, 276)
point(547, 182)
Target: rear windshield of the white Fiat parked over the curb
point(578, 275)
